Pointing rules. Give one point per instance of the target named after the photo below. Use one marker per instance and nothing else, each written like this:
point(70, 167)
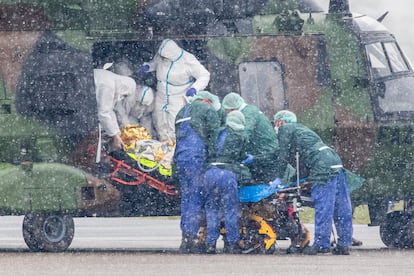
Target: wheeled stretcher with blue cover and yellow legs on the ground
point(271, 213)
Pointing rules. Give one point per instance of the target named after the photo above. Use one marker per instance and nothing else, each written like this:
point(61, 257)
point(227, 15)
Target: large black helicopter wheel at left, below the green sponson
point(48, 232)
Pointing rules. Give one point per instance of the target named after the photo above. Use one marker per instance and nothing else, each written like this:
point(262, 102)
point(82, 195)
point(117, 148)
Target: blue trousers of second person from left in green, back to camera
point(221, 197)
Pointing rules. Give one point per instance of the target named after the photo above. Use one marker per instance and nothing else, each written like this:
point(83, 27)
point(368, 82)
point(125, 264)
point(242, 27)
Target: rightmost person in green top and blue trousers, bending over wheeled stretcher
point(324, 170)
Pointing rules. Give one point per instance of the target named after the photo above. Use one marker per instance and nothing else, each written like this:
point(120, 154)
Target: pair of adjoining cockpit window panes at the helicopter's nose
point(385, 59)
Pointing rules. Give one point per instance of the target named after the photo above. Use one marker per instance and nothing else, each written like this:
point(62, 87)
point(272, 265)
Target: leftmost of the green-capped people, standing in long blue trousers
point(196, 126)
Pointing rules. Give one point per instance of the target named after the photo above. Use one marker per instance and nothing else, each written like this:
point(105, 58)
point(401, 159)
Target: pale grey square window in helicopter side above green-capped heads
point(261, 84)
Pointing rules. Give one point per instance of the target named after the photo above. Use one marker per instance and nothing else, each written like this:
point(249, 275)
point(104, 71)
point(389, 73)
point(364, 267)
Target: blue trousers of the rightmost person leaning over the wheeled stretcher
point(332, 202)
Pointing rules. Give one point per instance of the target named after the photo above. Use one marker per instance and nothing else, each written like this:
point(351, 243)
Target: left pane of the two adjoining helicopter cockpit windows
point(378, 60)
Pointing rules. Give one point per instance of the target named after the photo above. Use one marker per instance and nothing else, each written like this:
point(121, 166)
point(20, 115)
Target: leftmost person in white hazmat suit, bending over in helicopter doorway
point(117, 97)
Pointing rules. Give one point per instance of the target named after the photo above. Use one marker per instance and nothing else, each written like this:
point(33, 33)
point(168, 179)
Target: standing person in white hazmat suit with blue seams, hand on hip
point(179, 75)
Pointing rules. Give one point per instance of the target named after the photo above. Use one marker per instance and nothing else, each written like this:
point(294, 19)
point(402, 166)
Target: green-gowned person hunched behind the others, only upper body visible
point(262, 141)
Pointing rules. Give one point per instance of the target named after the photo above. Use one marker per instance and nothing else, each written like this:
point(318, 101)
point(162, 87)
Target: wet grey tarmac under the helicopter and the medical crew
point(148, 246)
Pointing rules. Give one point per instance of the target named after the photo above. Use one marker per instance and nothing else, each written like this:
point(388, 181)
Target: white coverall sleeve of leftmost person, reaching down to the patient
point(105, 101)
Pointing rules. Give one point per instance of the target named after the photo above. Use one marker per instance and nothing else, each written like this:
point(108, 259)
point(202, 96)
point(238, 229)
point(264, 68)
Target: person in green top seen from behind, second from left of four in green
point(221, 181)
